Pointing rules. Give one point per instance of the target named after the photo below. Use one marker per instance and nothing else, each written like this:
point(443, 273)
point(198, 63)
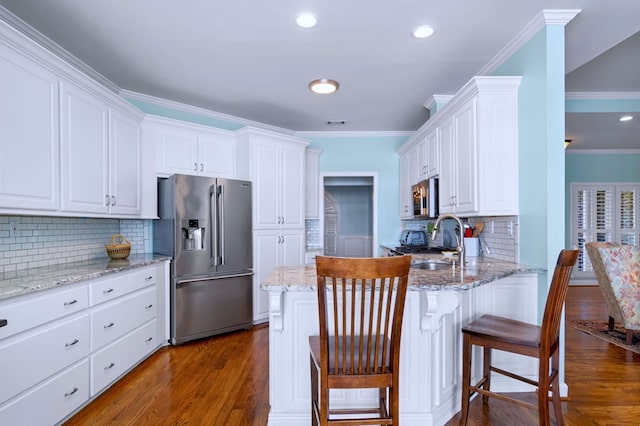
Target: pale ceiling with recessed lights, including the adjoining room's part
point(246, 58)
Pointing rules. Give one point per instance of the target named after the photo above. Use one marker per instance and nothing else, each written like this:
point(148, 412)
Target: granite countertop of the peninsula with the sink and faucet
point(477, 271)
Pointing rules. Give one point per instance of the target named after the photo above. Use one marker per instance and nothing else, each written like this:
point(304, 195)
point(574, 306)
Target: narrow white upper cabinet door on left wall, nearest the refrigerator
point(125, 164)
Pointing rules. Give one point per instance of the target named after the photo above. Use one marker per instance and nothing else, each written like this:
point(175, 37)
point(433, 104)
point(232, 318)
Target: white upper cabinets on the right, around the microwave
point(475, 138)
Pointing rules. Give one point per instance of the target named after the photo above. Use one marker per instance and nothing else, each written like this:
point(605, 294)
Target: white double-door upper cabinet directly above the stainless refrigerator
point(191, 149)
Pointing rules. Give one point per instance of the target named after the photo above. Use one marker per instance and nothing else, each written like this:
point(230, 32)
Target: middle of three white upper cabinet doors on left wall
point(84, 146)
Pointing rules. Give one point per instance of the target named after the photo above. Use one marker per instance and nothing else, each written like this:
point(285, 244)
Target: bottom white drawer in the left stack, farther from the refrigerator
point(50, 402)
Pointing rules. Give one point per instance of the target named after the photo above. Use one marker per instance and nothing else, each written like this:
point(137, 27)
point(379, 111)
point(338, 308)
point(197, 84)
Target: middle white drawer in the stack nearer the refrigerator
point(121, 316)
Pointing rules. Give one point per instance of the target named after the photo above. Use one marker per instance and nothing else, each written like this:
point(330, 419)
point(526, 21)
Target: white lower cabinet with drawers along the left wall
point(61, 347)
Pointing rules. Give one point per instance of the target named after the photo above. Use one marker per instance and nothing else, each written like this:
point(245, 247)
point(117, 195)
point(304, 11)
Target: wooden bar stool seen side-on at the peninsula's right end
point(542, 342)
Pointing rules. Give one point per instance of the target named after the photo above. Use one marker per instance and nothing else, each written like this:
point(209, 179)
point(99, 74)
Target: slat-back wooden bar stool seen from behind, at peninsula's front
point(360, 306)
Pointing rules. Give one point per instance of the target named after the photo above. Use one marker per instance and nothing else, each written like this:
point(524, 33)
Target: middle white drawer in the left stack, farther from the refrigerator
point(29, 359)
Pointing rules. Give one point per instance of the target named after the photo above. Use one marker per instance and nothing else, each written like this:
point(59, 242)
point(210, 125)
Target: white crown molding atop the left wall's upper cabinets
point(45, 42)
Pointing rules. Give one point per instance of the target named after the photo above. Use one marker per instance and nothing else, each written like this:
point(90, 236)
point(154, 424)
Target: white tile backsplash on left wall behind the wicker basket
point(34, 241)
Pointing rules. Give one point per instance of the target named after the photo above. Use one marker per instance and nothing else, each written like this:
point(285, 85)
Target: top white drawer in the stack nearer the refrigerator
point(120, 284)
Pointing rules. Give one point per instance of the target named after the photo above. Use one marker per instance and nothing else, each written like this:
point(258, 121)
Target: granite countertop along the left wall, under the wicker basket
point(18, 283)
